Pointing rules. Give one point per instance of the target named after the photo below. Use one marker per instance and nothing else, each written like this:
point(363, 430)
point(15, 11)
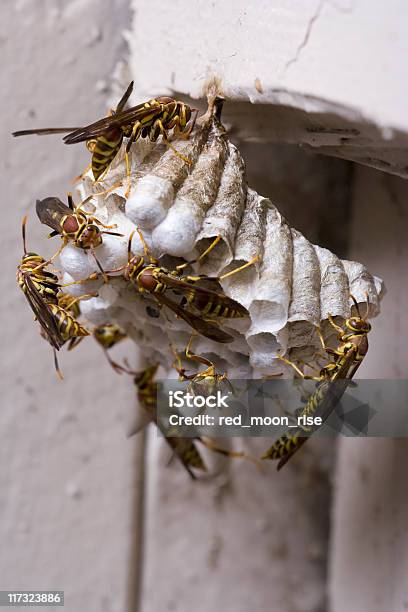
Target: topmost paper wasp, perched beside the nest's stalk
point(147, 120)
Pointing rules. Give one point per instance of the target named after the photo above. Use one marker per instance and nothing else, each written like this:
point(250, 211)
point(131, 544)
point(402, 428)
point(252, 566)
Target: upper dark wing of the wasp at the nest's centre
point(201, 297)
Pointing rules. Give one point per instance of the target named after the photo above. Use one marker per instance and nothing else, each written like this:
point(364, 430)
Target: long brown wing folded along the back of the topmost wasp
point(120, 119)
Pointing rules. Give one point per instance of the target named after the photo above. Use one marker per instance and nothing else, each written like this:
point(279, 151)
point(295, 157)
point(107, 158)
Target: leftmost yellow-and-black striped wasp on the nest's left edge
point(42, 290)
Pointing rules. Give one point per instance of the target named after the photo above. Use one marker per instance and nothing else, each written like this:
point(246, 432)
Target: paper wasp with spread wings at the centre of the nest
point(149, 277)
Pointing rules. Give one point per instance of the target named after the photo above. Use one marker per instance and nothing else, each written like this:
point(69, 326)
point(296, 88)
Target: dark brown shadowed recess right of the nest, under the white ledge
point(312, 191)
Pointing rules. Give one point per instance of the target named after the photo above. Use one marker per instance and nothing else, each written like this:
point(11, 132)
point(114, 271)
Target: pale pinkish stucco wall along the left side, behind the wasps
point(67, 478)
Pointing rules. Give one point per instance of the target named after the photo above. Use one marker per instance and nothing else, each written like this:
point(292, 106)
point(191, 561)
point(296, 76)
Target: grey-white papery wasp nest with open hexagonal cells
point(181, 202)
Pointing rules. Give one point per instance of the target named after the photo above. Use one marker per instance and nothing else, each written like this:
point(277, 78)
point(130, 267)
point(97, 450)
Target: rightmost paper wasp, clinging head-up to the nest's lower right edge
point(333, 380)
